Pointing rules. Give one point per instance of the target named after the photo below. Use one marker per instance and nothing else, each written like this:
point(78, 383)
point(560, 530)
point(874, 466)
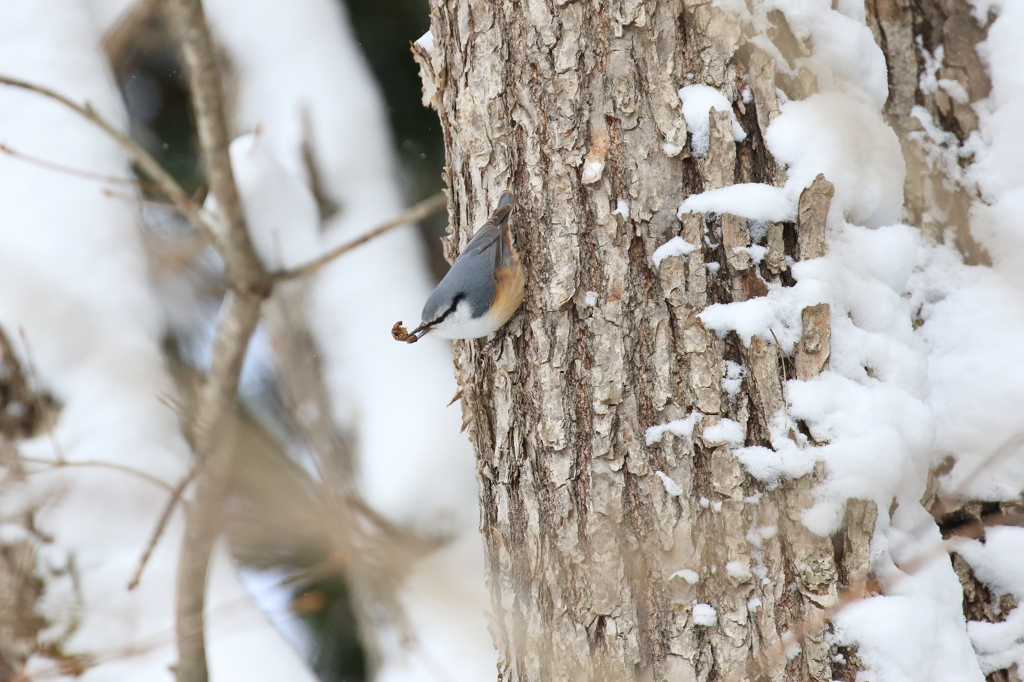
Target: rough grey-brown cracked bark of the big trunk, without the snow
point(586, 524)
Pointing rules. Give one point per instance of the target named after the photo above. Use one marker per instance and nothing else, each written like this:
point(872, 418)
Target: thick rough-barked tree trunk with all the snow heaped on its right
point(738, 382)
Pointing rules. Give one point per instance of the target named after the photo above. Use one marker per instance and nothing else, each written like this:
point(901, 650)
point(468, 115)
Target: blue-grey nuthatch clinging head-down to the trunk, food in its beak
point(483, 289)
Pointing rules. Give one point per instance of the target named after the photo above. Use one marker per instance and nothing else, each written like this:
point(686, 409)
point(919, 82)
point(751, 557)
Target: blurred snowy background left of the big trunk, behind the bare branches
point(354, 518)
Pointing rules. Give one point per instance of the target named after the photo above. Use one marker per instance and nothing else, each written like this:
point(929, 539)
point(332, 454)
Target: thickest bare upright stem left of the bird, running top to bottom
point(249, 286)
